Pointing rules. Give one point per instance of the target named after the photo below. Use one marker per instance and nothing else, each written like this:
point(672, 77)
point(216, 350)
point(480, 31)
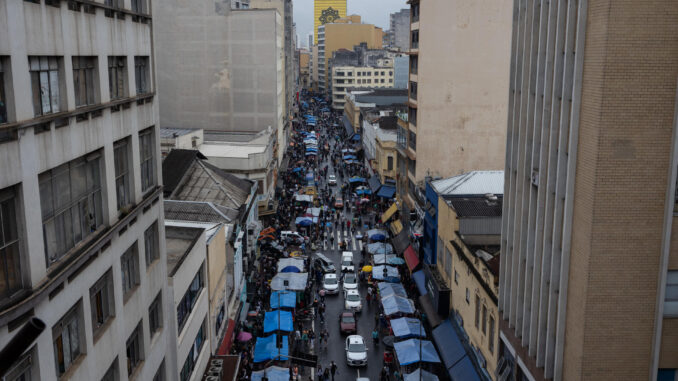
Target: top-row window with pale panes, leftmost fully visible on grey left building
point(45, 84)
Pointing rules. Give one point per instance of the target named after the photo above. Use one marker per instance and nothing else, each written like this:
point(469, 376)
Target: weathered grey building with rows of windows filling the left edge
point(81, 192)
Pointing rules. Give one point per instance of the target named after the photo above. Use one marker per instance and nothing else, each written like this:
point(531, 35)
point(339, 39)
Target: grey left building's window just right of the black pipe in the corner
point(67, 340)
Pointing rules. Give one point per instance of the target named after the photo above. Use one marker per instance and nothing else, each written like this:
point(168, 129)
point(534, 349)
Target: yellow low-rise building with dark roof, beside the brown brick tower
point(469, 231)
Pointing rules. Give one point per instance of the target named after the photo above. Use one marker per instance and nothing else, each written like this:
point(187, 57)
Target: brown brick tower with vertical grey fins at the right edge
point(589, 267)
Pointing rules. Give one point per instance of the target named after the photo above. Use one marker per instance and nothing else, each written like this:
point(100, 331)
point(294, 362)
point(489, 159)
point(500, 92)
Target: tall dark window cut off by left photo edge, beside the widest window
point(10, 249)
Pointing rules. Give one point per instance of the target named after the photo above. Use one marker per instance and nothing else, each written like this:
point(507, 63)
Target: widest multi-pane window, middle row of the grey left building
point(71, 202)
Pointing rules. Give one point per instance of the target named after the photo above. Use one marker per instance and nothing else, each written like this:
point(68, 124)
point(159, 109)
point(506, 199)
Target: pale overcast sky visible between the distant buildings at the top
point(372, 12)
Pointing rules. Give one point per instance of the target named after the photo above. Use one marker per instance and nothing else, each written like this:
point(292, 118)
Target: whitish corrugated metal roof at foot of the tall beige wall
point(471, 183)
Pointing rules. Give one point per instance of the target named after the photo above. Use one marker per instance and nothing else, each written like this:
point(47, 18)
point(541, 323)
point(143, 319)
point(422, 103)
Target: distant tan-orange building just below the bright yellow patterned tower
point(344, 33)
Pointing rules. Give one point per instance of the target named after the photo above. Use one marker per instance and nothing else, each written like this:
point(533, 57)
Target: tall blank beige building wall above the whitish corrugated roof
point(463, 77)
